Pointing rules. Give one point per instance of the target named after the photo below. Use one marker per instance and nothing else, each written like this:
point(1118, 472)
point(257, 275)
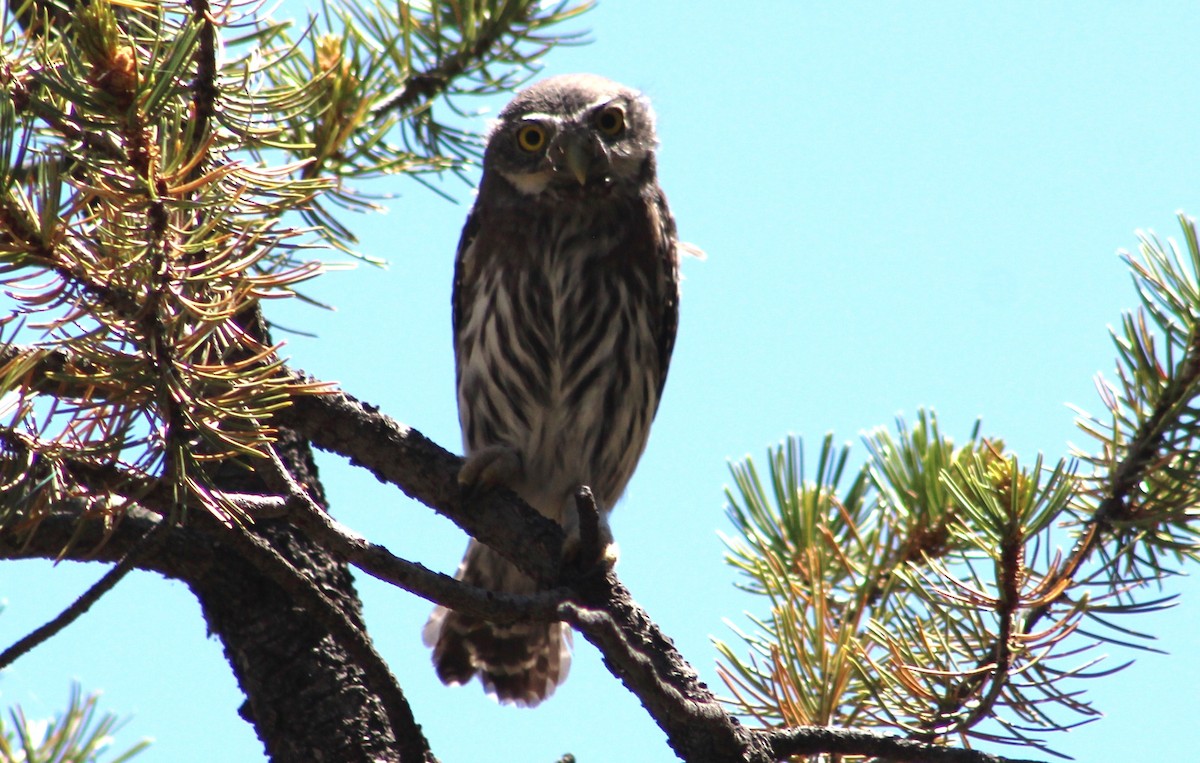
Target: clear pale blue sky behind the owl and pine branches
point(903, 207)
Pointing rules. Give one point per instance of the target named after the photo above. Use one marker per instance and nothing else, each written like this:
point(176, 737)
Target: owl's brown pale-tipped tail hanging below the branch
point(520, 663)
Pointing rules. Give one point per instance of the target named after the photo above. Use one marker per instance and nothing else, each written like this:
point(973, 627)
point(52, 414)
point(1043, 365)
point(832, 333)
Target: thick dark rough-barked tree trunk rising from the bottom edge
point(316, 689)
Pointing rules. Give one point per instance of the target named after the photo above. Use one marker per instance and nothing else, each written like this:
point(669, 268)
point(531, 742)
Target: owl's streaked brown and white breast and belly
point(557, 356)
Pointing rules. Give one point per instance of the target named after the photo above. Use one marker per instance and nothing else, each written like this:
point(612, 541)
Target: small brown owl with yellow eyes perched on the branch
point(566, 307)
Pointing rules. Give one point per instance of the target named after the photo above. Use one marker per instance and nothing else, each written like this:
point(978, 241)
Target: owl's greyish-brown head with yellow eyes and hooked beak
point(571, 135)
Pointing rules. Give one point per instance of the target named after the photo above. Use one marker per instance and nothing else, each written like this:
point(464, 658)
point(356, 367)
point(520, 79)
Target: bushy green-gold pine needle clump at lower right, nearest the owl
point(878, 614)
